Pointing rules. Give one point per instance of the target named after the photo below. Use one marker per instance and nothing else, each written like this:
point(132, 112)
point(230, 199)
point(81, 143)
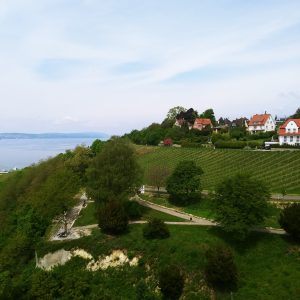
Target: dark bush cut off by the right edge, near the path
point(289, 220)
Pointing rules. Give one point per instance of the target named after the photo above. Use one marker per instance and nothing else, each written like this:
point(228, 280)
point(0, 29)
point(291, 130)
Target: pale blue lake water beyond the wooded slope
point(19, 153)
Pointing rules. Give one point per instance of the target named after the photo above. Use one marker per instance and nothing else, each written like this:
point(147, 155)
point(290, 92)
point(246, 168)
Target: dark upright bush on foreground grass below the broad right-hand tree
point(220, 270)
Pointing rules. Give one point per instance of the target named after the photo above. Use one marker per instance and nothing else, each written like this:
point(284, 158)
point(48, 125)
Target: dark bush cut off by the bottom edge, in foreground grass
point(171, 282)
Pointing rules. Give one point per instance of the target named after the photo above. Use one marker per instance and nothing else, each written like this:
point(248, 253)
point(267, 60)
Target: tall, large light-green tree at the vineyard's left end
point(114, 173)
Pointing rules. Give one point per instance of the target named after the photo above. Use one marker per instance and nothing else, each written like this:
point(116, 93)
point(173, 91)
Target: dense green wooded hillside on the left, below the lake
point(29, 200)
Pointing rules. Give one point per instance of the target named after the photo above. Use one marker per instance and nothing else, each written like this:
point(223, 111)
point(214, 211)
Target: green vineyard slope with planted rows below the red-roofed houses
point(279, 169)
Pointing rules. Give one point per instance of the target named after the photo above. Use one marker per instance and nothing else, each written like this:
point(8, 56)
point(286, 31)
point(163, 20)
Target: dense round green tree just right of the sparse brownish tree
point(184, 183)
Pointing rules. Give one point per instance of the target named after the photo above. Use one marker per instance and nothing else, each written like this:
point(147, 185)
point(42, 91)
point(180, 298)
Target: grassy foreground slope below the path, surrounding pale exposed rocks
point(268, 264)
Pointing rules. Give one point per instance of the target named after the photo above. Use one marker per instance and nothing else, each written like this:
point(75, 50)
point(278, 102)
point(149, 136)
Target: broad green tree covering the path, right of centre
point(241, 203)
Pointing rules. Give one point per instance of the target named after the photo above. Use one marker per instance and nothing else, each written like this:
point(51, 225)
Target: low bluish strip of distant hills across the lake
point(53, 135)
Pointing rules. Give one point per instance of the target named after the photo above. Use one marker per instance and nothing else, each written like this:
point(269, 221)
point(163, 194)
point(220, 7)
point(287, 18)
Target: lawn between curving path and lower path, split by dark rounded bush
point(87, 215)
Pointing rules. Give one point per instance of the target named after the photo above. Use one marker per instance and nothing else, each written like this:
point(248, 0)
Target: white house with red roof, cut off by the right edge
point(289, 132)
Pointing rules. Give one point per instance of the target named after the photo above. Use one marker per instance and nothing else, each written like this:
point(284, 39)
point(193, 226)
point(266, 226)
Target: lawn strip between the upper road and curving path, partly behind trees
point(204, 209)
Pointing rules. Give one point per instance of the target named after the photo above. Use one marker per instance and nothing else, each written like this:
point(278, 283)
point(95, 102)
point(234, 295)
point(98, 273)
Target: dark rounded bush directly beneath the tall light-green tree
point(112, 218)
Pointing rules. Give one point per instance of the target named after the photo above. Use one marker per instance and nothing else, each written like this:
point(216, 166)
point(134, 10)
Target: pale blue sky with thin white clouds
point(116, 65)
